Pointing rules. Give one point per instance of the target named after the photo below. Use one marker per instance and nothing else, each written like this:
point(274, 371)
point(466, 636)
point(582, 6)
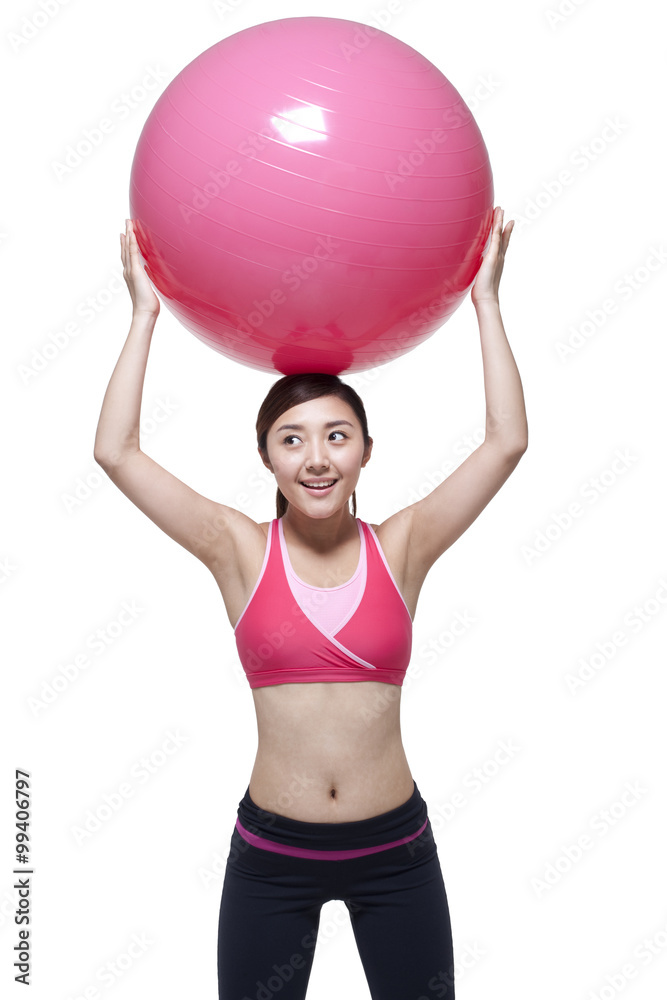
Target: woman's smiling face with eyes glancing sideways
point(320, 440)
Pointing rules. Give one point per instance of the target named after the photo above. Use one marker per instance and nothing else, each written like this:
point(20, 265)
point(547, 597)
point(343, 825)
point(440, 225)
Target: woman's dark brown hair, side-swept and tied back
point(291, 390)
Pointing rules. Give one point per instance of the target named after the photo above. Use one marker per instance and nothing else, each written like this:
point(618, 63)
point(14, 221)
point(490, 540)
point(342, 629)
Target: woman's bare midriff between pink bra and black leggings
point(329, 753)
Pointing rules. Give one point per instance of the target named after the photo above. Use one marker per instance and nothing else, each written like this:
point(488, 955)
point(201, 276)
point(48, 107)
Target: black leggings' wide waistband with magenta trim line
point(332, 841)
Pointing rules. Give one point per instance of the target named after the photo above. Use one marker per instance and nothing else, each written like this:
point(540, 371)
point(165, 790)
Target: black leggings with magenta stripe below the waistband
point(271, 901)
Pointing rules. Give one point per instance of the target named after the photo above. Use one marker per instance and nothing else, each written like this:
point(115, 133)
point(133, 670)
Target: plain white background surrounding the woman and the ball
point(527, 921)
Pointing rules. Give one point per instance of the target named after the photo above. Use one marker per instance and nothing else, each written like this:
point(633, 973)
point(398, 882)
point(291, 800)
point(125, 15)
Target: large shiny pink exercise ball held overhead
point(311, 194)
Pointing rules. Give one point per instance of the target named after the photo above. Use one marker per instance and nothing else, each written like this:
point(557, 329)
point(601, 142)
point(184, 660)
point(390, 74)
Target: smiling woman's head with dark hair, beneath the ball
point(327, 438)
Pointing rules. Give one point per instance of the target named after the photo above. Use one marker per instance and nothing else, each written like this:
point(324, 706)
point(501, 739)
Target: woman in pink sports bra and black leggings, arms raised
point(320, 601)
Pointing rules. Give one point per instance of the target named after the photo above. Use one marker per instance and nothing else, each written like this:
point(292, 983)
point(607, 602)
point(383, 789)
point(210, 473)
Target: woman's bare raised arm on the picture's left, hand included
point(202, 526)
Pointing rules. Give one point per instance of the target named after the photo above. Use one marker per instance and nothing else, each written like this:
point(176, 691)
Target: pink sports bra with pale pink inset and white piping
point(293, 633)
